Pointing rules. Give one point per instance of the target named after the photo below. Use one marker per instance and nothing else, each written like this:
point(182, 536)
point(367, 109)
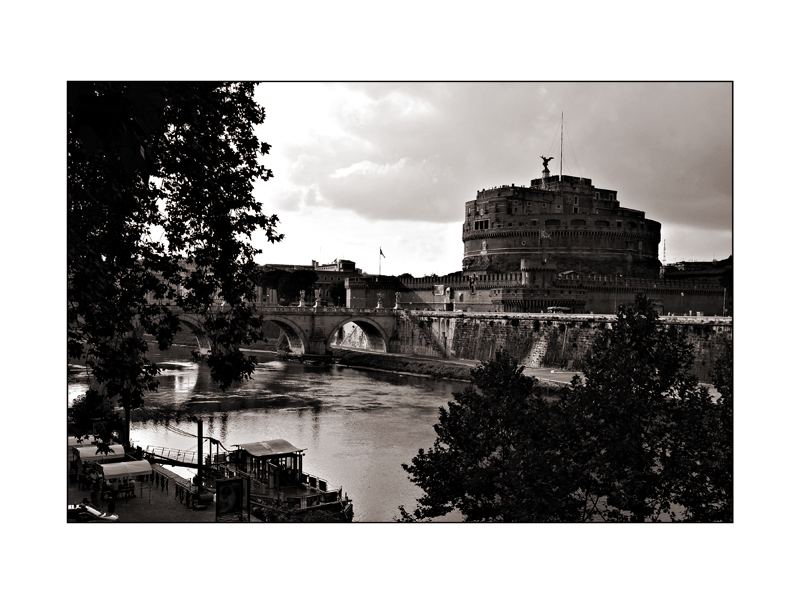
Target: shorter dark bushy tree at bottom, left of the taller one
point(496, 445)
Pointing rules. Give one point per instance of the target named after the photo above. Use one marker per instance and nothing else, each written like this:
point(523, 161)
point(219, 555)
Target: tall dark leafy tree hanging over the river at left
point(160, 207)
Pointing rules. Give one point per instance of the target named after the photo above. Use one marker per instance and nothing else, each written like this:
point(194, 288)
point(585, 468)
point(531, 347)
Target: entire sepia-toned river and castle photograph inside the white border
point(399, 302)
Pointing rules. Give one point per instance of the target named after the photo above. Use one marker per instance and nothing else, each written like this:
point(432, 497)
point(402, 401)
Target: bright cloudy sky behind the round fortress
point(390, 165)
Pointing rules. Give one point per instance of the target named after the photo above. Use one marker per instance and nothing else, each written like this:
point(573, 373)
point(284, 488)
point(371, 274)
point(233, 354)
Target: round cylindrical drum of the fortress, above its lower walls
point(563, 223)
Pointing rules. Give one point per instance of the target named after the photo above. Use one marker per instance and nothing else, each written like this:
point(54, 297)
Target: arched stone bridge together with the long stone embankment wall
point(537, 339)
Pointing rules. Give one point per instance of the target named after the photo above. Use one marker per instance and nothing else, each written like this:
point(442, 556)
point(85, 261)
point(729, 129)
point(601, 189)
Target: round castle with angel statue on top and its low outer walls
point(561, 244)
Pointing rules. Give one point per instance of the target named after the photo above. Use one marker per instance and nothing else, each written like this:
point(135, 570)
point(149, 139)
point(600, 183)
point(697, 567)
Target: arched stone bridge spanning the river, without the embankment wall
point(311, 331)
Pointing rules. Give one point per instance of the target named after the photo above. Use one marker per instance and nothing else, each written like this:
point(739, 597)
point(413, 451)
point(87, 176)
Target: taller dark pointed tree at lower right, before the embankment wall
point(638, 411)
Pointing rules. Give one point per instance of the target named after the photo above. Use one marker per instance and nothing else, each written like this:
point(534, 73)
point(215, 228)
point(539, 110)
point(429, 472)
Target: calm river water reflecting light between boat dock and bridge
point(357, 426)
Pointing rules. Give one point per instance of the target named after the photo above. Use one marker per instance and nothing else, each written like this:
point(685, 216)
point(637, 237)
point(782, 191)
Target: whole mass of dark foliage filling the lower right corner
point(636, 439)
